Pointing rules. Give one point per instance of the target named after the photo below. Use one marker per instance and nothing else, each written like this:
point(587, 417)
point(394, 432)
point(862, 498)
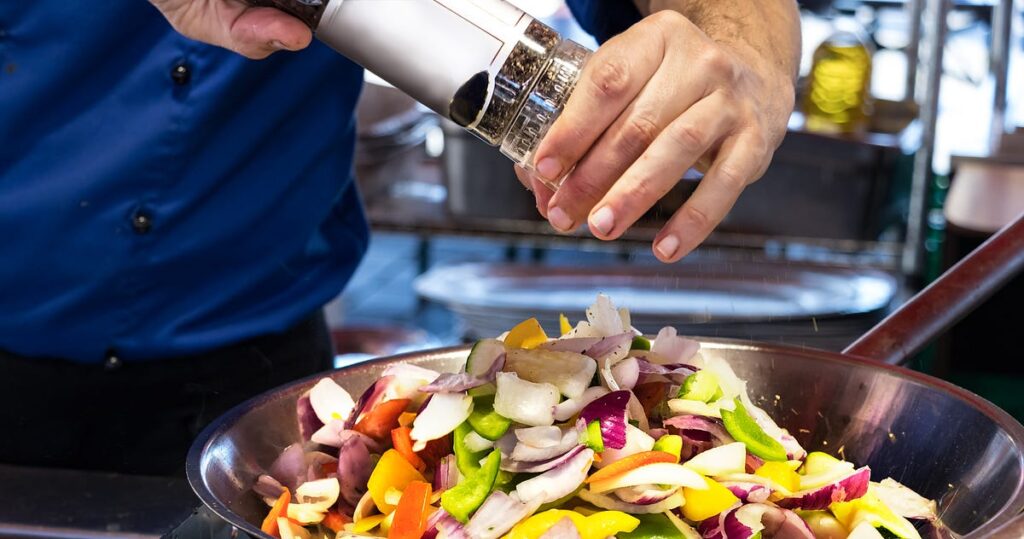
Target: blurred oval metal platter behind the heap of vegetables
point(825, 307)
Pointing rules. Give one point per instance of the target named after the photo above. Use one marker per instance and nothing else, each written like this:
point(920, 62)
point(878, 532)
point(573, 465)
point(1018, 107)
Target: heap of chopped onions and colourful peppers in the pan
point(599, 434)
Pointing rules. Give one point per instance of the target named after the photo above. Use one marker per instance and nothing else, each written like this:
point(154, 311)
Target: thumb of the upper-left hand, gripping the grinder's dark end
point(259, 32)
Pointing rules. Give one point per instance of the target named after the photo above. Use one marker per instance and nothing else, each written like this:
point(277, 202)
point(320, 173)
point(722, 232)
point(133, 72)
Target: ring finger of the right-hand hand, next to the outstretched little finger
point(678, 147)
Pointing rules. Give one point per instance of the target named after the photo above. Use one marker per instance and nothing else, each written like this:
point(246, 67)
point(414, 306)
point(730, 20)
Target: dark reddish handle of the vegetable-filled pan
point(947, 301)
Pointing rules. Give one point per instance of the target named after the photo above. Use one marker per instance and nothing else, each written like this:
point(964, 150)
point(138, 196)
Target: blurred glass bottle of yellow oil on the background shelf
point(838, 97)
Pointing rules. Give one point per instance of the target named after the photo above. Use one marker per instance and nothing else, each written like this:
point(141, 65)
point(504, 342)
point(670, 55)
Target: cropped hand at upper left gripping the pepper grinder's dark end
point(252, 32)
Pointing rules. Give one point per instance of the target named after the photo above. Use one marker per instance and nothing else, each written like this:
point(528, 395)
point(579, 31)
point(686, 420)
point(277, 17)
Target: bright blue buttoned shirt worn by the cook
point(160, 197)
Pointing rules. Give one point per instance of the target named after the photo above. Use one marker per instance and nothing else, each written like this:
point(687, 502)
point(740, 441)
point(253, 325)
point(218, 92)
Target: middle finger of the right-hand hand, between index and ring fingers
point(661, 102)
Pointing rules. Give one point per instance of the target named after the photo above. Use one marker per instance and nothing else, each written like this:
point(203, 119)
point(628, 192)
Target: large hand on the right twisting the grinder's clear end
point(653, 103)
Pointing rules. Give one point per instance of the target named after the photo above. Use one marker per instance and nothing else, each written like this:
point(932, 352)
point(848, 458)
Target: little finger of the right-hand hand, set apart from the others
point(742, 160)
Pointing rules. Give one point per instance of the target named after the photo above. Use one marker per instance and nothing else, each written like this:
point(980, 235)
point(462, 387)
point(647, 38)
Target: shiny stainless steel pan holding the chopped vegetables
point(941, 440)
